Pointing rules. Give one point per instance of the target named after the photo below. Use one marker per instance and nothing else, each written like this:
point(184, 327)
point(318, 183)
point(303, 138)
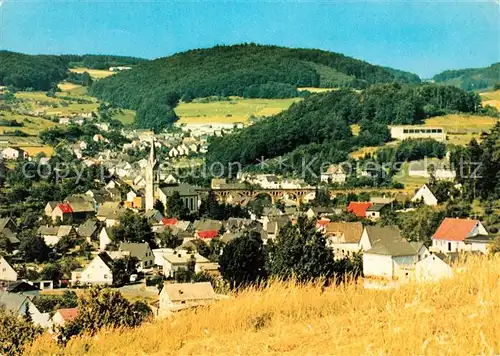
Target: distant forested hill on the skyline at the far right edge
point(471, 78)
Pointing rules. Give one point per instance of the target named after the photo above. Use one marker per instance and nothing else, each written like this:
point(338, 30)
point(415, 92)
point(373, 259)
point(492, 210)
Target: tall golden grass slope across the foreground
point(453, 317)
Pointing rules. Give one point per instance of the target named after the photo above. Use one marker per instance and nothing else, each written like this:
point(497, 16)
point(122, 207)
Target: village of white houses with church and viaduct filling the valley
point(172, 260)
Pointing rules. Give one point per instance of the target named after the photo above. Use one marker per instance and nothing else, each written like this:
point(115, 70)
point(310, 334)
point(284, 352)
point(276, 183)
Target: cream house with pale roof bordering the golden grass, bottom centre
point(179, 296)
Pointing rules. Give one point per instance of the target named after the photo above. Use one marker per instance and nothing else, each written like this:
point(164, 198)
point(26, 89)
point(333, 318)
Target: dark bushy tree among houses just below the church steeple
point(133, 228)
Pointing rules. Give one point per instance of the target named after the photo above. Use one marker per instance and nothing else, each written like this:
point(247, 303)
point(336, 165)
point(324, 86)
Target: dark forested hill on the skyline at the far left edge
point(39, 72)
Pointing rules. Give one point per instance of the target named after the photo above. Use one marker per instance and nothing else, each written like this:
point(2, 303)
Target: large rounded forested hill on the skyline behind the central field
point(247, 70)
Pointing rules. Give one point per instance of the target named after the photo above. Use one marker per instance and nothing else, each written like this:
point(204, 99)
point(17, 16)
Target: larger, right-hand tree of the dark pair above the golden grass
point(301, 252)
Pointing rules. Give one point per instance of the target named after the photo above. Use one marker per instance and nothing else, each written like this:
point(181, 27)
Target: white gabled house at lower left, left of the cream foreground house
point(98, 271)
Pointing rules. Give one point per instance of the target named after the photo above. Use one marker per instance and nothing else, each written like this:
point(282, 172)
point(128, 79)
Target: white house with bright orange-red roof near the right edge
point(451, 234)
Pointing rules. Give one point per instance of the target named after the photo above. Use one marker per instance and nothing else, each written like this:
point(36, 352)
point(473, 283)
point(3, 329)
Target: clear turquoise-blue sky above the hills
point(424, 37)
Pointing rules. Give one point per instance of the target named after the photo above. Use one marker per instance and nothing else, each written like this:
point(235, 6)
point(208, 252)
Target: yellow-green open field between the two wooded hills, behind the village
point(230, 111)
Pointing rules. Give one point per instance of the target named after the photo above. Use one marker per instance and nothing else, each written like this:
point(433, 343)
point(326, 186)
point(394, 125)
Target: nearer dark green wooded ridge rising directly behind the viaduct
point(317, 129)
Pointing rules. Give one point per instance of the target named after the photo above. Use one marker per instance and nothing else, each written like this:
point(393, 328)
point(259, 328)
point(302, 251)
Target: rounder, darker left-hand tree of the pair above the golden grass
point(243, 261)
